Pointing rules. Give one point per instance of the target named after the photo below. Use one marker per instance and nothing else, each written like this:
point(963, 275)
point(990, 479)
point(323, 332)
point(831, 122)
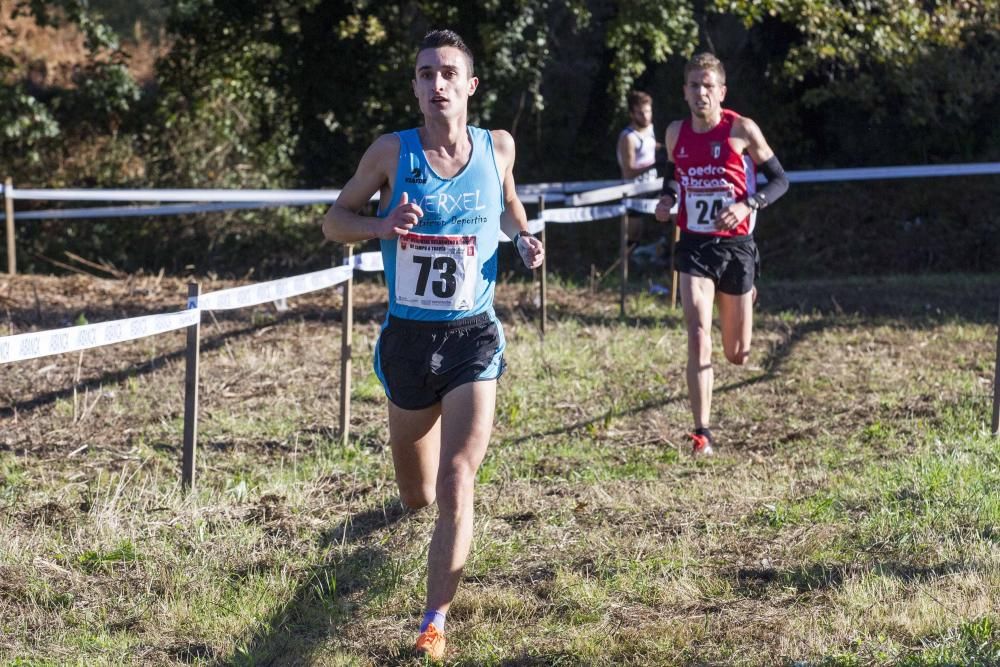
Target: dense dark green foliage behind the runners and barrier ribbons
point(255, 93)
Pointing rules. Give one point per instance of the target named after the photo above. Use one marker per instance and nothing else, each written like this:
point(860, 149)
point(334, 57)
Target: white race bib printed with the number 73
point(438, 272)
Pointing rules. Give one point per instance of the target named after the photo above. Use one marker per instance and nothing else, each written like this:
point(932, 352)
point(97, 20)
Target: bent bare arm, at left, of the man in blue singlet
point(374, 174)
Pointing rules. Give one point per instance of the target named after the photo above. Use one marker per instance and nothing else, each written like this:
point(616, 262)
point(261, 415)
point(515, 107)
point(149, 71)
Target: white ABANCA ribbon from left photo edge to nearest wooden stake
point(71, 339)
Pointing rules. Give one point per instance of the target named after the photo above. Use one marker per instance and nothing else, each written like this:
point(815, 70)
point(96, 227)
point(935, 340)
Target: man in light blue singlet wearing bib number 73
point(446, 191)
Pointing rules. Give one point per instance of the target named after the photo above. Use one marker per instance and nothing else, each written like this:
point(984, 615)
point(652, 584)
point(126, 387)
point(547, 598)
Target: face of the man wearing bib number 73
point(443, 84)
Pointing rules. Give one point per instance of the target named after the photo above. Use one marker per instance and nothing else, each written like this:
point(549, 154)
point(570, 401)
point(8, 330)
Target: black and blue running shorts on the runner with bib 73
point(419, 362)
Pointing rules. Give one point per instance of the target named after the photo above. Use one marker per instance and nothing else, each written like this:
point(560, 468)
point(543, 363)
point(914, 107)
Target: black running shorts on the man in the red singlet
point(733, 264)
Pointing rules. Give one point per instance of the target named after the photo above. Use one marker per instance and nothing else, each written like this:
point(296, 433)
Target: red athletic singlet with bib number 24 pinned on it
point(712, 176)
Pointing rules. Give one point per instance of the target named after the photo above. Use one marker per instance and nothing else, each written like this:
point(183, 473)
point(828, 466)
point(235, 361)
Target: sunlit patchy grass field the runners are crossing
point(852, 516)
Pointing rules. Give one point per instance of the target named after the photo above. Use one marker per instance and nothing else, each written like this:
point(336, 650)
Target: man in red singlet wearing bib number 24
point(713, 157)
